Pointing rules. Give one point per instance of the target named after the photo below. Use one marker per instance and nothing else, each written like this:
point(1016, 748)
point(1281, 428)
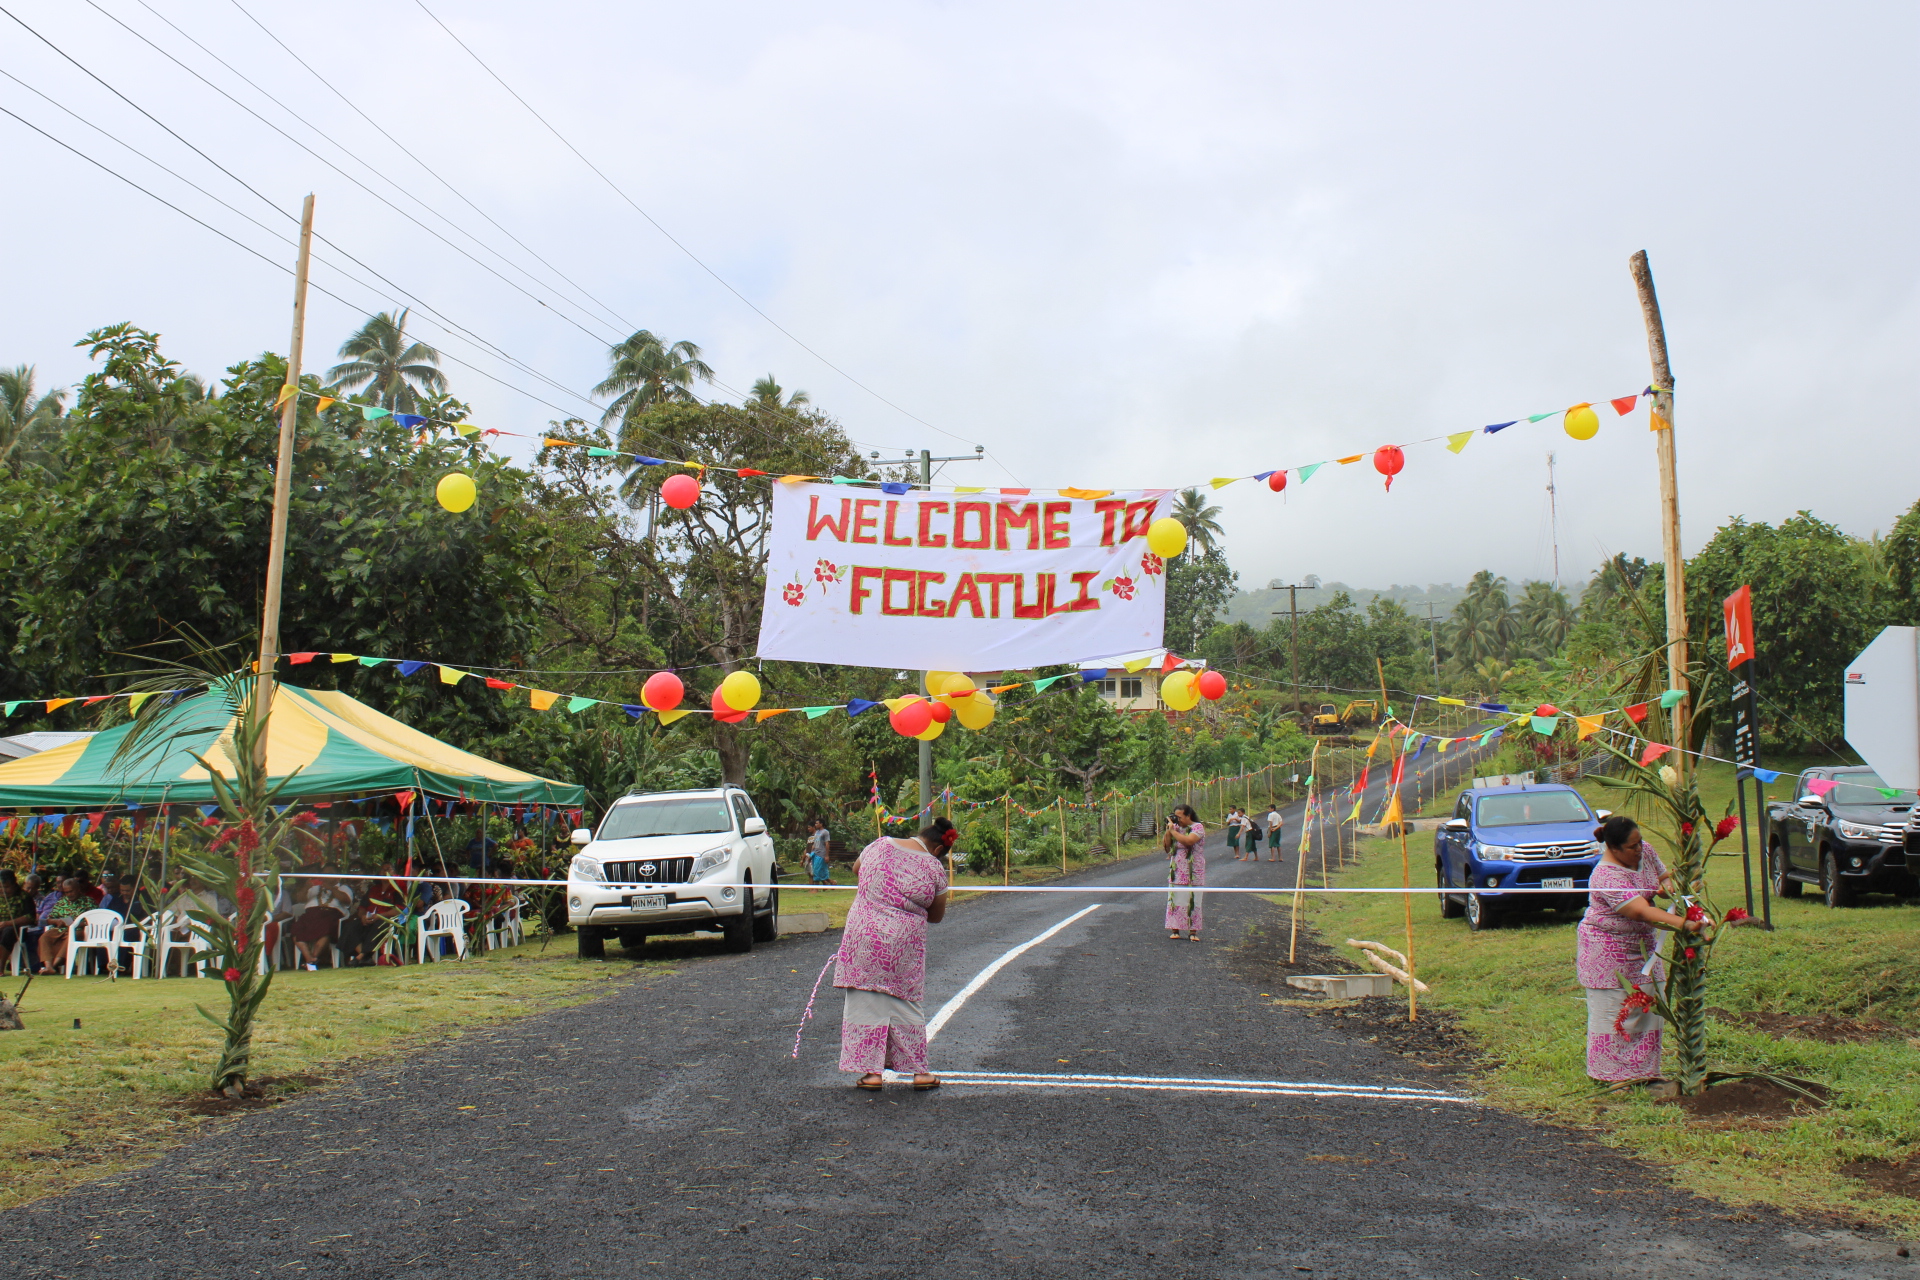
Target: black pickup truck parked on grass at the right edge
point(1850, 841)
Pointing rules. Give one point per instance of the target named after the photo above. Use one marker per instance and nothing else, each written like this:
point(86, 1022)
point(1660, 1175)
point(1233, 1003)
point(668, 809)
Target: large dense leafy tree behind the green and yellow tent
point(156, 527)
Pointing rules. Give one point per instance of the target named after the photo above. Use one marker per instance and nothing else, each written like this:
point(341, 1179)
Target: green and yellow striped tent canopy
point(339, 746)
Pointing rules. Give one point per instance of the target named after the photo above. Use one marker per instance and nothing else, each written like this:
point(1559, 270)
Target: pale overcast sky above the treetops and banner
point(1120, 245)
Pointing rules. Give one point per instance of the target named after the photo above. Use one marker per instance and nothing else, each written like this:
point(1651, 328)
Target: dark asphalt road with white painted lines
point(665, 1131)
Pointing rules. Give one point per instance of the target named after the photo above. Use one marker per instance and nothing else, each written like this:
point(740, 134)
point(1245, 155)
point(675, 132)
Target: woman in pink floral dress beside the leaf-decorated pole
point(1618, 941)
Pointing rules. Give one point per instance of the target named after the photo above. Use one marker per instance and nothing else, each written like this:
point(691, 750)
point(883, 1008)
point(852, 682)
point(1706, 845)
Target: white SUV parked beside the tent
point(675, 863)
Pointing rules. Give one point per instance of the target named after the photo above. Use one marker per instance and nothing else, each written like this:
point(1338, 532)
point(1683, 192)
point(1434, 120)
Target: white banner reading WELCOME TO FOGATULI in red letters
point(961, 582)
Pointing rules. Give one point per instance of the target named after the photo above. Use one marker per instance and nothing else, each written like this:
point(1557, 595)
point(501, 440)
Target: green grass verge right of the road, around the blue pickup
point(1518, 999)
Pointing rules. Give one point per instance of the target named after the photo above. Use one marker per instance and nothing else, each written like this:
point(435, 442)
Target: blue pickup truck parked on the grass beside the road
point(1516, 838)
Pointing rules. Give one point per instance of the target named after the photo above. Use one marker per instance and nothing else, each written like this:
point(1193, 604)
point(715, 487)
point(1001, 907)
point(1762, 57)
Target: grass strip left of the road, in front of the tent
point(84, 1102)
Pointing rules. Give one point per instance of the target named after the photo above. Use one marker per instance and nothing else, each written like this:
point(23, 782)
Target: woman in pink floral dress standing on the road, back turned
point(884, 955)
